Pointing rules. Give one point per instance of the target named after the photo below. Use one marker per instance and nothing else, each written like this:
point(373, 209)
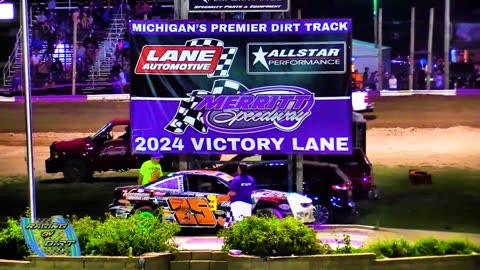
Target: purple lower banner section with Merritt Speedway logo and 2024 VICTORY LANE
point(230, 118)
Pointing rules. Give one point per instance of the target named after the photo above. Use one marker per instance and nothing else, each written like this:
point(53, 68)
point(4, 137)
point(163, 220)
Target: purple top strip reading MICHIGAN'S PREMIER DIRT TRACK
point(313, 26)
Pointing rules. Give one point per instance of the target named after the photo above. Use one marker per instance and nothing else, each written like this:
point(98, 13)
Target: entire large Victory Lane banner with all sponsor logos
point(241, 87)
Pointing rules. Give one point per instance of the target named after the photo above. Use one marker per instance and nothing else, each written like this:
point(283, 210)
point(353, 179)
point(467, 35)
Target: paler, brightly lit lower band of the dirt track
point(386, 146)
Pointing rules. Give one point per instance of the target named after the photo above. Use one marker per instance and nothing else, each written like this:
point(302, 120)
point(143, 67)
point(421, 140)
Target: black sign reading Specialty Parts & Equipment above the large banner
point(238, 6)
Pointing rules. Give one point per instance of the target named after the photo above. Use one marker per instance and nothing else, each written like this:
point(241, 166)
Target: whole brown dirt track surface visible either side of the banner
point(422, 131)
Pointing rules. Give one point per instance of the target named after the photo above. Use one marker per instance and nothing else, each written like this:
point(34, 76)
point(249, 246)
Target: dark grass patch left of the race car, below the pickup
point(58, 197)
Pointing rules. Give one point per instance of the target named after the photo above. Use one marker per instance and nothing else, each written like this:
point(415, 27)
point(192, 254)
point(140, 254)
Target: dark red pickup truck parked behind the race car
point(108, 149)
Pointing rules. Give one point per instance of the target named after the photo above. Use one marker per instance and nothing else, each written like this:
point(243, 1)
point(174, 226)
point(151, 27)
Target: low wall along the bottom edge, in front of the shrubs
point(214, 260)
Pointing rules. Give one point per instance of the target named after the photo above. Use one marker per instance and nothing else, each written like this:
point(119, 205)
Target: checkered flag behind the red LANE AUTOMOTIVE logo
point(226, 59)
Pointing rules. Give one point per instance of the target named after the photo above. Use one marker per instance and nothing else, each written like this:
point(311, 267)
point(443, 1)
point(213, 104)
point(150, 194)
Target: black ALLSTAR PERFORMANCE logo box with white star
point(296, 58)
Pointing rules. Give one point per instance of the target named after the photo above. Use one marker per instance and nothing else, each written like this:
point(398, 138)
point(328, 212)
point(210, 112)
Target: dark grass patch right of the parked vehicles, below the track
point(451, 203)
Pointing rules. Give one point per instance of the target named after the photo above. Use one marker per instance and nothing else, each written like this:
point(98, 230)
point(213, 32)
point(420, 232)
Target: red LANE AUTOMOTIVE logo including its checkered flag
point(202, 56)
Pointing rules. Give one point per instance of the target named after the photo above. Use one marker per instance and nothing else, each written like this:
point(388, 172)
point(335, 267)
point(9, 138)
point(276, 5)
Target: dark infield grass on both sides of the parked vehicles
point(451, 203)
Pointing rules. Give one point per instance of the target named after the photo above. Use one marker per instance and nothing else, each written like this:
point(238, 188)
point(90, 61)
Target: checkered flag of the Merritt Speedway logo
point(187, 115)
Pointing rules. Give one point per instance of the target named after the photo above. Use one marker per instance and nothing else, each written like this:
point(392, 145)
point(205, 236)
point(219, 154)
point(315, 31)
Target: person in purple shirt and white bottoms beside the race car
point(241, 189)
